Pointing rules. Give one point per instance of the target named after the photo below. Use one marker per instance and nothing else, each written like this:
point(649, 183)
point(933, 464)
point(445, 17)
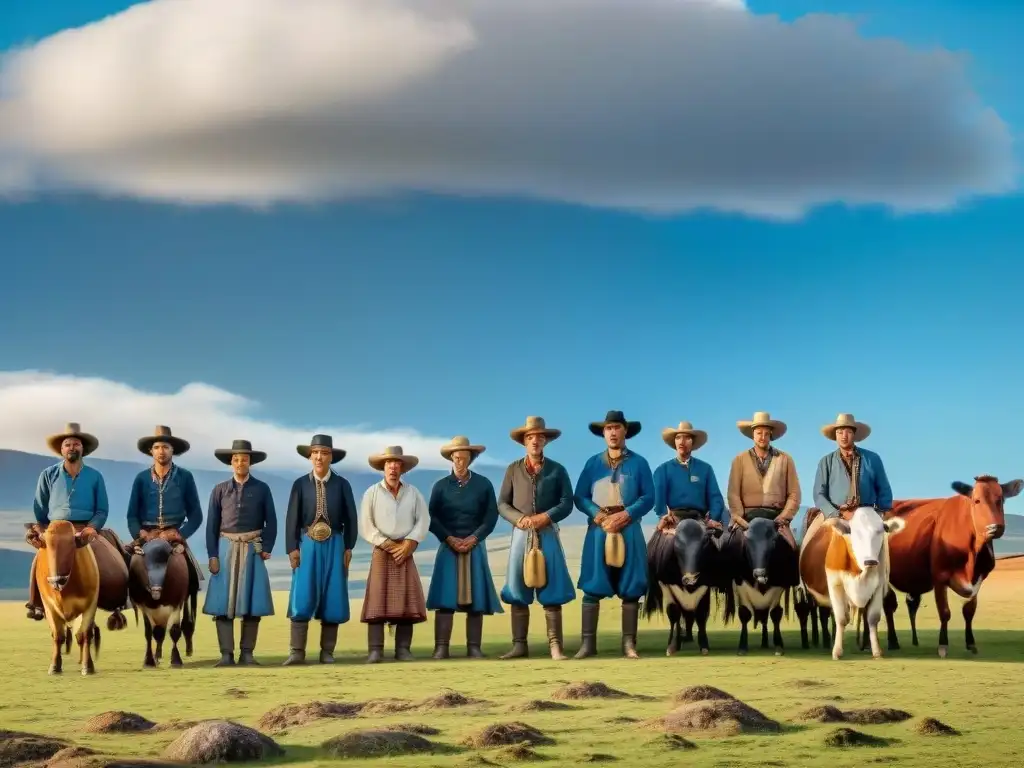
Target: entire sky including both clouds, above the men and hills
point(402, 222)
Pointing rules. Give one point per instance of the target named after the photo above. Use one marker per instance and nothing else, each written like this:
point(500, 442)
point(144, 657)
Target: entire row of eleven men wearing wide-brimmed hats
point(615, 491)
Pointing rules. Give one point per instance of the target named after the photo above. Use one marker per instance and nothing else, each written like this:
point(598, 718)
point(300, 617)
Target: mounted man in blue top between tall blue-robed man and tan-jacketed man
point(686, 486)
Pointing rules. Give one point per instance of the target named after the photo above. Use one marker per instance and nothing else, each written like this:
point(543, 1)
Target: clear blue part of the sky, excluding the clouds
point(463, 315)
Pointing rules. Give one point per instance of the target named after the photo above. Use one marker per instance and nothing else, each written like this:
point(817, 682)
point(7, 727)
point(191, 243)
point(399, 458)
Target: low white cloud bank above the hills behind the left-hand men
point(38, 404)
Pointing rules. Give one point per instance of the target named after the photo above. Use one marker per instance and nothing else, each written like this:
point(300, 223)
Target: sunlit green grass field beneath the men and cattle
point(980, 696)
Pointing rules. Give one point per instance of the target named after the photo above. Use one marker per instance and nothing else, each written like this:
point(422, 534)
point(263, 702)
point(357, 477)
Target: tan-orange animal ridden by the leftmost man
point(68, 579)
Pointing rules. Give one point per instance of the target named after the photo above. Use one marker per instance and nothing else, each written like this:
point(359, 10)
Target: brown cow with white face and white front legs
point(844, 565)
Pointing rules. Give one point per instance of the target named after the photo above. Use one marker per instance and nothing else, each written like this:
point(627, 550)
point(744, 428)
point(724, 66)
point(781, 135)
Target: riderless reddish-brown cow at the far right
point(948, 544)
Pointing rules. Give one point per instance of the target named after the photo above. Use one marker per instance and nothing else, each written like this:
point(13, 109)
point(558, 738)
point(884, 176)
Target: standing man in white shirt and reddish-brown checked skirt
point(394, 519)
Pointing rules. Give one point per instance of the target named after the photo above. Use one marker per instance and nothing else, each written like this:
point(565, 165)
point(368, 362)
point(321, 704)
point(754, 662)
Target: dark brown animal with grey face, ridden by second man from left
point(160, 586)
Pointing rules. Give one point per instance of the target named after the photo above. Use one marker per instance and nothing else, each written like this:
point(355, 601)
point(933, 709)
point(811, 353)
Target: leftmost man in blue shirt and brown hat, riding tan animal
point(71, 491)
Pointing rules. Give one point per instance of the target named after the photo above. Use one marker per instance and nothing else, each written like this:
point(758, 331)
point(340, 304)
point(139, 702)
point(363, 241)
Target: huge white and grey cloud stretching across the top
point(661, 106)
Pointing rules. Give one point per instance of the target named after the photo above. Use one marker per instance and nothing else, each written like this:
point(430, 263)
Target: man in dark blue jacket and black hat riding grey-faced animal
point(165, 502)
